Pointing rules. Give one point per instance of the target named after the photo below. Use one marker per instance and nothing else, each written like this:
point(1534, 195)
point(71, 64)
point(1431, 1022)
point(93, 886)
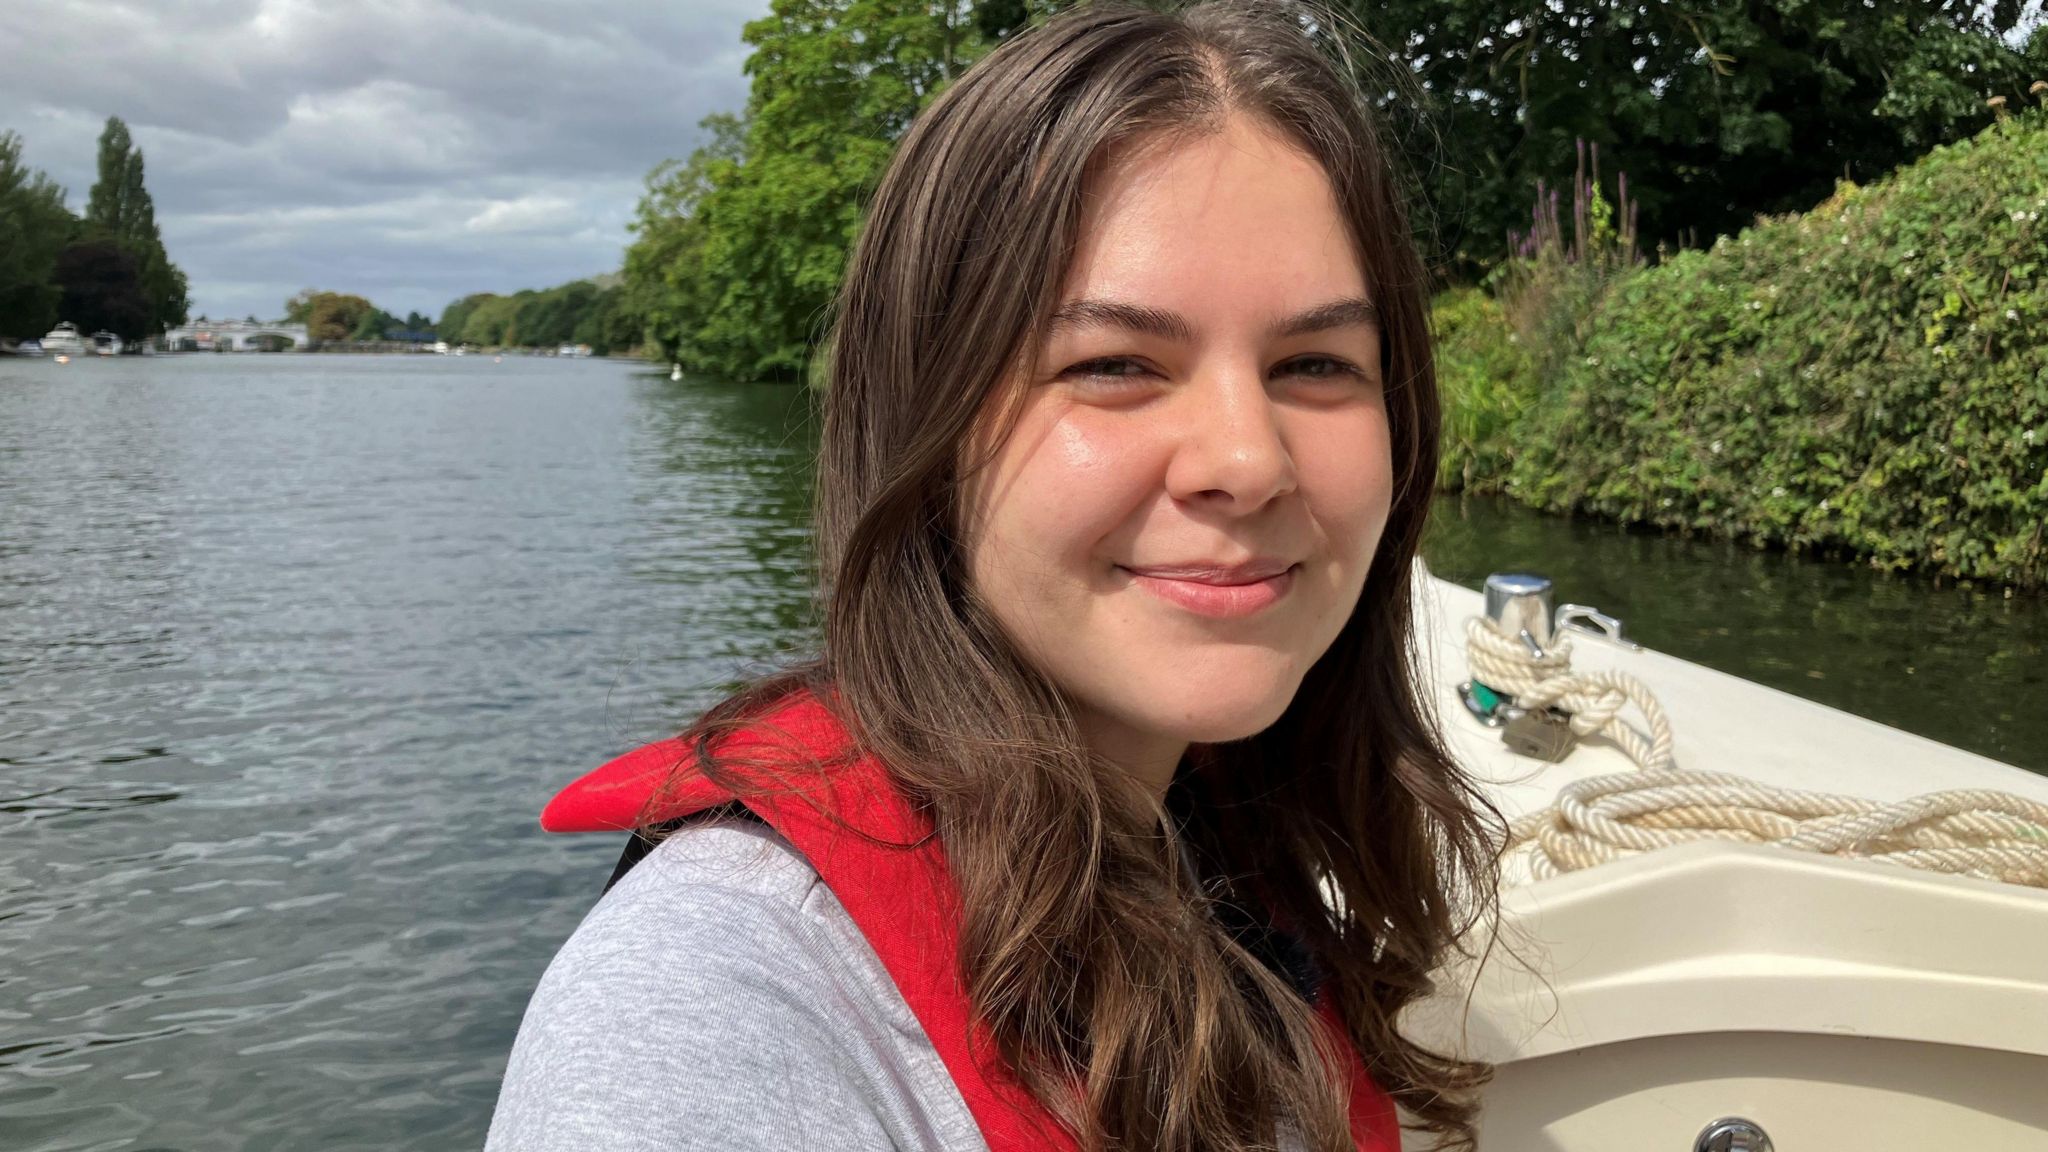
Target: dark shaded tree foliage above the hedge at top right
point(1723, 110)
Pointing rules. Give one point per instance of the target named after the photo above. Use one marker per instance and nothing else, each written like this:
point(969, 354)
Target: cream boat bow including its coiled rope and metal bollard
point(1781, 977)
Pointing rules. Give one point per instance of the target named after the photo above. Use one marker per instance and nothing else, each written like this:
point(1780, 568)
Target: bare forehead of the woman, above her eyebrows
point(1220, 222)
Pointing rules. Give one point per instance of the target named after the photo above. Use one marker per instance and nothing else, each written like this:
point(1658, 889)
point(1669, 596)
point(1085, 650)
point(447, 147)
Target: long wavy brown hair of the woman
point(1089, 950)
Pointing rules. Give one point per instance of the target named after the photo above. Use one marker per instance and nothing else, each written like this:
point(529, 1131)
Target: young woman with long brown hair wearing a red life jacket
point(1107, 817)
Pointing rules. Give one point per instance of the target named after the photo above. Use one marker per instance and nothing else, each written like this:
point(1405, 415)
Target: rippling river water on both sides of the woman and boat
point(294, 649)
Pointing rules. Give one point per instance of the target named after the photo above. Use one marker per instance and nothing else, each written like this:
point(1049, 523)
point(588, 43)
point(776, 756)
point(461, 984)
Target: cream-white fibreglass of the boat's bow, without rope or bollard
point(1842, 1005)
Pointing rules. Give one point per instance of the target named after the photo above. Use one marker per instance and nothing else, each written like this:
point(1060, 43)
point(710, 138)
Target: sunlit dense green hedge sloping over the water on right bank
point(1869, 378)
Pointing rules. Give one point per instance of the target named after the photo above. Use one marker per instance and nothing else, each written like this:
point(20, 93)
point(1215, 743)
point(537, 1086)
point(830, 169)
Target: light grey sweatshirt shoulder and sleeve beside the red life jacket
point(720, 997)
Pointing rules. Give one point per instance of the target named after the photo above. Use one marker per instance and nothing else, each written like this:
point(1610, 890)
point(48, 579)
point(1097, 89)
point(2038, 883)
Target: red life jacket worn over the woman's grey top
point(888, 870)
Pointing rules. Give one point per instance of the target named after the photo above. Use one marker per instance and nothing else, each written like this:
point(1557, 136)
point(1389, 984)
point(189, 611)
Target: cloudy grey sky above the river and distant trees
point(407, 151)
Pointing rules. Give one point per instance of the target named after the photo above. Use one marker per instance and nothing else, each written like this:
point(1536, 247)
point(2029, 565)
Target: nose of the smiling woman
point(1230, 450)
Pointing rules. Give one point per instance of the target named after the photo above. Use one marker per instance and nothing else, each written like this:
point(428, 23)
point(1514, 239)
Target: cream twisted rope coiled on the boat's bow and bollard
point(1981, 833)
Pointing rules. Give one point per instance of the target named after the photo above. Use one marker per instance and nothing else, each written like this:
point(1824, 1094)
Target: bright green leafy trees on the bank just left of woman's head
point(742, 247)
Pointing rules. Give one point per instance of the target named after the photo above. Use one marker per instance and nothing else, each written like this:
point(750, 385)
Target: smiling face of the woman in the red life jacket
point(1185, 513)
